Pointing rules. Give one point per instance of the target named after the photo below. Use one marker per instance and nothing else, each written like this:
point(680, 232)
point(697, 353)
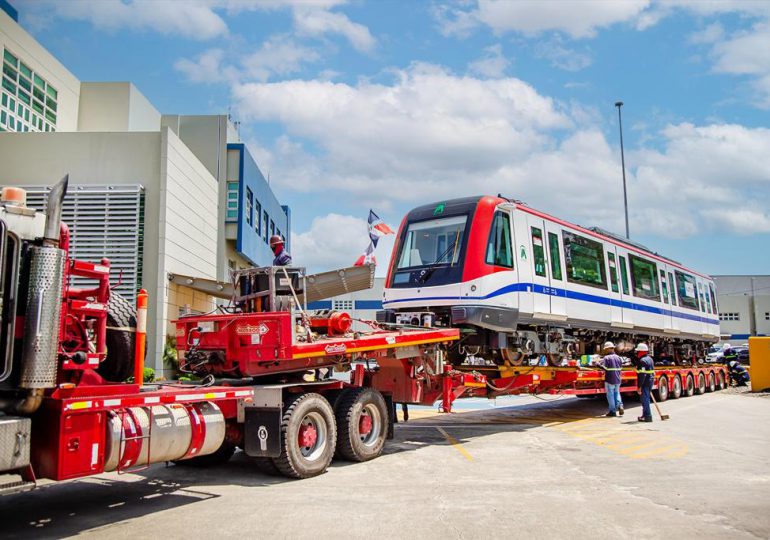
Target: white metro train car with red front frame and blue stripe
point(524, 285)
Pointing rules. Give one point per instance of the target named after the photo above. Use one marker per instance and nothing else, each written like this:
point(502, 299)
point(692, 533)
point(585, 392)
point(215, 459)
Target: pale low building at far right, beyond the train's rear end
point(744, 307)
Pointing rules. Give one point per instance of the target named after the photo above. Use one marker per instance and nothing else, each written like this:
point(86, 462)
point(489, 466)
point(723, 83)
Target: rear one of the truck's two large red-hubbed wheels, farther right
point(362, 424)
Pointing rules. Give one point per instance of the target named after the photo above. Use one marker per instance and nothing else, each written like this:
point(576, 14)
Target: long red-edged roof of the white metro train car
point(461, 205)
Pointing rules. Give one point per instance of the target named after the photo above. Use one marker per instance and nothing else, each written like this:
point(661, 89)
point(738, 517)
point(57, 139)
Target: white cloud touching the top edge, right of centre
point(577, 18)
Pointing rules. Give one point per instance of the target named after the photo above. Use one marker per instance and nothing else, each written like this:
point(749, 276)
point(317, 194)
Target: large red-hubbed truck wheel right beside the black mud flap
point(308, 437)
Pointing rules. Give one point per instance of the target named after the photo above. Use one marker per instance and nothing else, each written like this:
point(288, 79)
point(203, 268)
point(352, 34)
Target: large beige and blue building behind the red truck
point(161, 196)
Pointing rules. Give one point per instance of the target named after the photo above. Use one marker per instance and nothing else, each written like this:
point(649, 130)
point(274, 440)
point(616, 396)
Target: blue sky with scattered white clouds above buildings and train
point(351, 105)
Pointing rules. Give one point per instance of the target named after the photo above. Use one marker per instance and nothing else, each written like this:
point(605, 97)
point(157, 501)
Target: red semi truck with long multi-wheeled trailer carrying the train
point(267, 370)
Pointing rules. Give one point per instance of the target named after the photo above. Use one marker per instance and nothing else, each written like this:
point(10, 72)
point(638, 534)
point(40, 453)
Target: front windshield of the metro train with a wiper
point(434, 242)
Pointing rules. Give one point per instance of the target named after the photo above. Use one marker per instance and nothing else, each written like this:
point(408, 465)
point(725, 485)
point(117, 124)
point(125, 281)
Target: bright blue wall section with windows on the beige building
point(260, 215)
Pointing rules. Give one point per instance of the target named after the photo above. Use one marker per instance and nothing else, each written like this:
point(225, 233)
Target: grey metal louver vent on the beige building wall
point(104, 221)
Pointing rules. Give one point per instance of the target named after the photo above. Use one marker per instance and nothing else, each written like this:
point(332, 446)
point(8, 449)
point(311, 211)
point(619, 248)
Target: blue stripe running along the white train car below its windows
point(572, 295)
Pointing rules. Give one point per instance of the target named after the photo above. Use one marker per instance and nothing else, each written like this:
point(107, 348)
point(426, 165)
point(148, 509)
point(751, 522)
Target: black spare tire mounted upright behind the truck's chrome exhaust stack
point(118, 365)
